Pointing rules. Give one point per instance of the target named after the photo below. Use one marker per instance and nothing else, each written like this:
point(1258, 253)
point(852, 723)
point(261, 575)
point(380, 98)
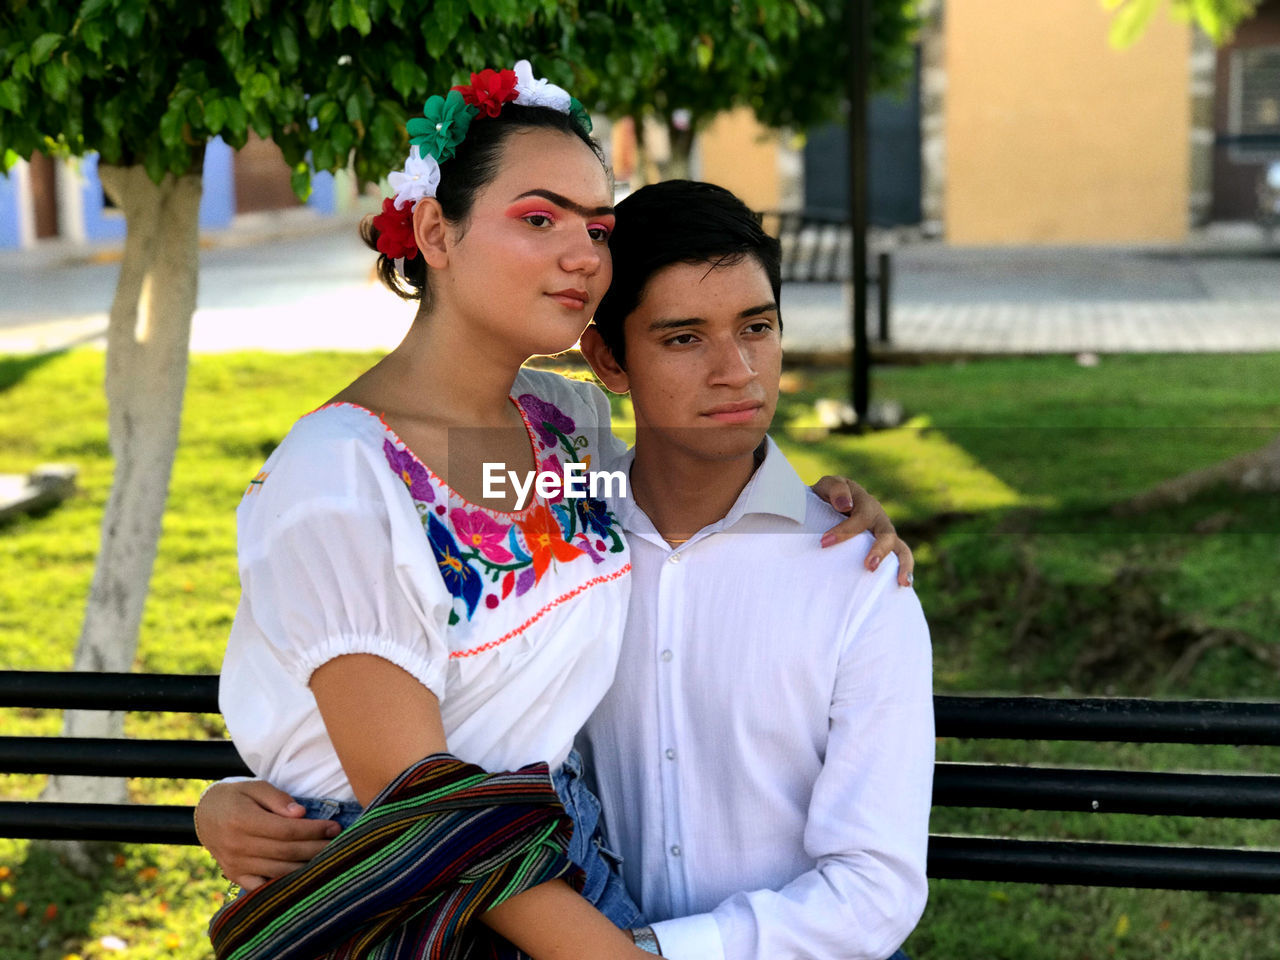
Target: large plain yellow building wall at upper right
point(1055, 138)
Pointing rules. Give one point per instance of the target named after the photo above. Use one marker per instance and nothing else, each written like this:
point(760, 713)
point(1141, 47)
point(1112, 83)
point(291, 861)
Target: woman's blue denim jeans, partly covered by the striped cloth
point(587, 848)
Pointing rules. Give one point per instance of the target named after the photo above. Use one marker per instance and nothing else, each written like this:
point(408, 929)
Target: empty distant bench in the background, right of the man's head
point(816, 249)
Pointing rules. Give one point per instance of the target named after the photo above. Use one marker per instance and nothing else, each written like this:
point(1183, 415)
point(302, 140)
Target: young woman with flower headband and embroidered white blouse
point(392, 607)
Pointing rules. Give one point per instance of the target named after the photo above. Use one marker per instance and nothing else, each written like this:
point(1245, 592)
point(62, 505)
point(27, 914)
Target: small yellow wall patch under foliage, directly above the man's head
point(742, 156)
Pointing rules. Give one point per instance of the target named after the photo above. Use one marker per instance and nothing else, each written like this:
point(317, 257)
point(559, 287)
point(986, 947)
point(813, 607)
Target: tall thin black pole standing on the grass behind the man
point(860, 57)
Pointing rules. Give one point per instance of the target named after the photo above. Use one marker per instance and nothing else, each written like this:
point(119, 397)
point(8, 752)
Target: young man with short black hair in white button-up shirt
point(765, 758)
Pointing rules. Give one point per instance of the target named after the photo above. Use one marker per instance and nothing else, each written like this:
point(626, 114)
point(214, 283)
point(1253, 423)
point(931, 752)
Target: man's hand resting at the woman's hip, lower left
point(257, 833)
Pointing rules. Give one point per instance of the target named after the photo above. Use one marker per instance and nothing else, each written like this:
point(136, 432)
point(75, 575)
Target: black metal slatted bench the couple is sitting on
point(971, 785)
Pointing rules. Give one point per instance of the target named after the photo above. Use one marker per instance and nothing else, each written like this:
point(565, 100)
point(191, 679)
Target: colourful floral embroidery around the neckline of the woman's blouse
point(486, 556)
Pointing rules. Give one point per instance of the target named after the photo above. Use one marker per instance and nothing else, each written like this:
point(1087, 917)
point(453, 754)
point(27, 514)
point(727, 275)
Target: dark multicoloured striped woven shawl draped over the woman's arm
point(441, 845)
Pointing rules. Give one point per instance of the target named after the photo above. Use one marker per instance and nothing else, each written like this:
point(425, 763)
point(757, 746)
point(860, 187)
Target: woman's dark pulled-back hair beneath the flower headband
point(472, 168)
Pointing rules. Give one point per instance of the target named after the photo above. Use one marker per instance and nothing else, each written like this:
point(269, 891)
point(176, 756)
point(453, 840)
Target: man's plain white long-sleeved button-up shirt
point(766, 753)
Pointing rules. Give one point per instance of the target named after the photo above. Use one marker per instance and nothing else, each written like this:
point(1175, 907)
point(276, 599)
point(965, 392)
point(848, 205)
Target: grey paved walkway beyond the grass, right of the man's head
point(1046, 301)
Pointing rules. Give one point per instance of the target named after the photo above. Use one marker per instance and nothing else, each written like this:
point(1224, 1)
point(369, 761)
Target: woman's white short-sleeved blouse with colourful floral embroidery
point(350, 545)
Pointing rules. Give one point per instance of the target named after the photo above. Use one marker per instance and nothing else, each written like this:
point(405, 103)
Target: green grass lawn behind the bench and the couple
point(1004, 477)
